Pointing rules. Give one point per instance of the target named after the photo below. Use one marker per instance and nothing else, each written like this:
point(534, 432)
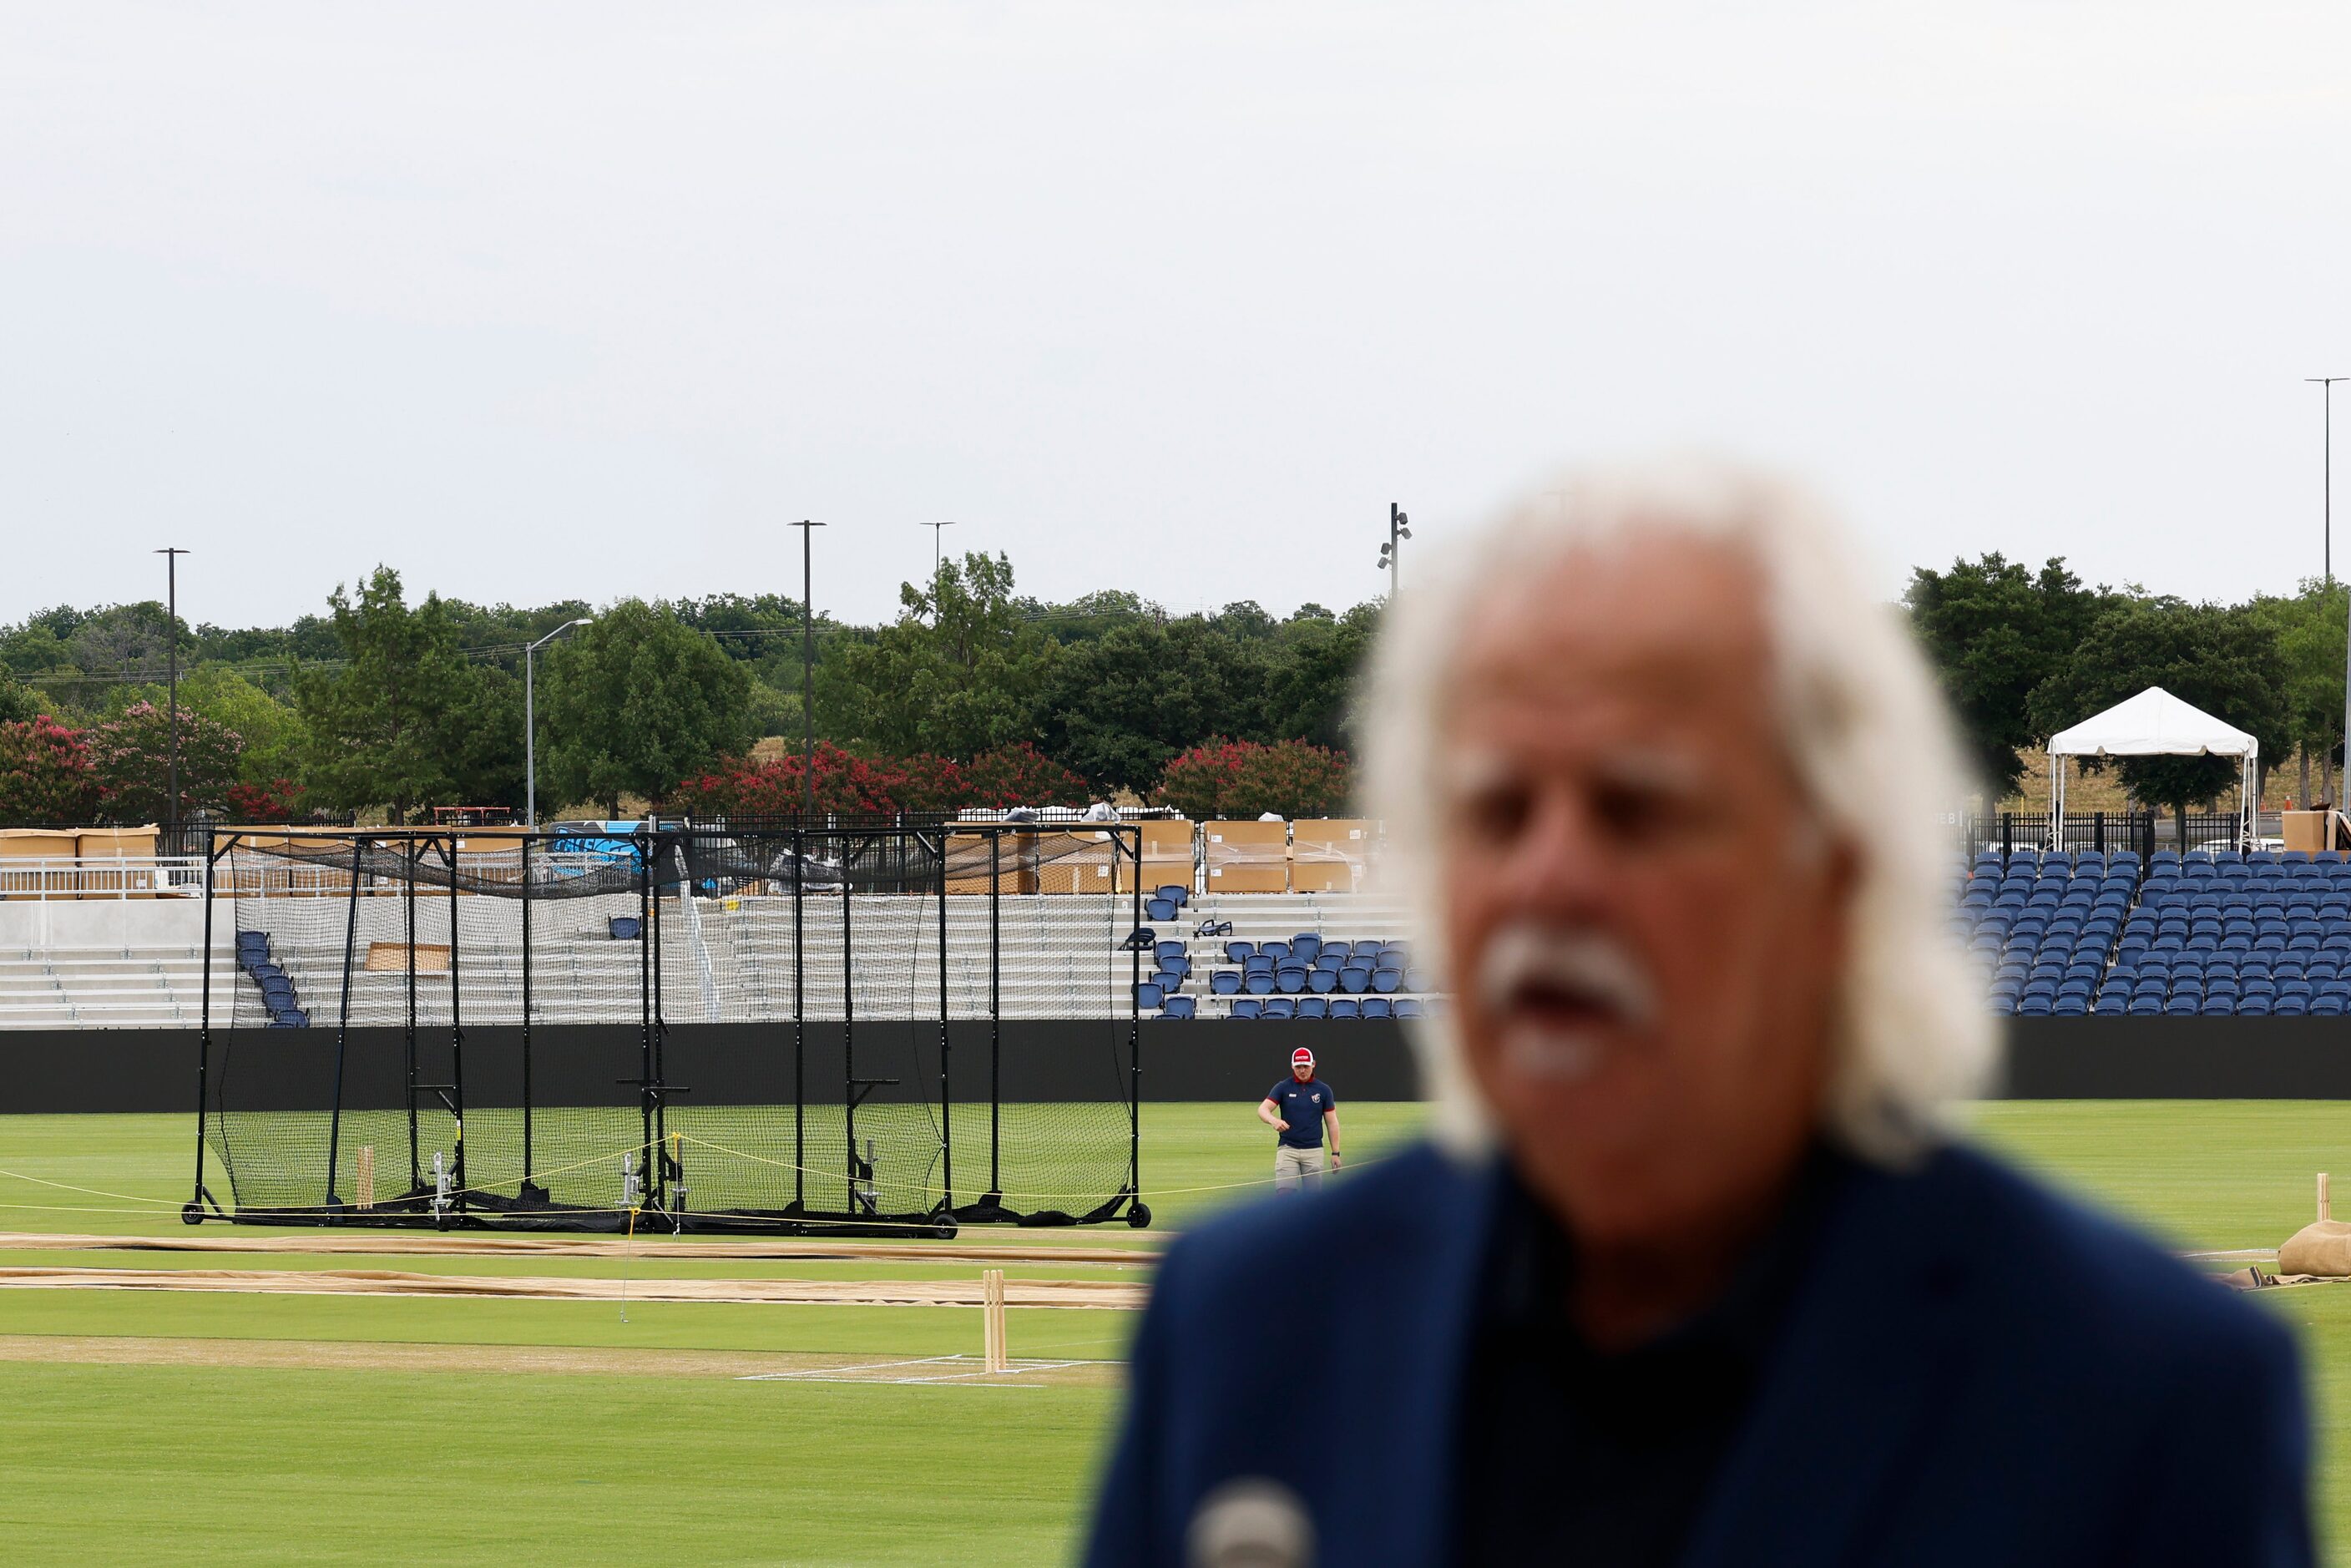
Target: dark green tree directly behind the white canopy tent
point(2218, 659)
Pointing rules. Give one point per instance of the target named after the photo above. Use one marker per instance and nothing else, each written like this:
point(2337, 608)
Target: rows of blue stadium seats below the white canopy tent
point(2211, 934)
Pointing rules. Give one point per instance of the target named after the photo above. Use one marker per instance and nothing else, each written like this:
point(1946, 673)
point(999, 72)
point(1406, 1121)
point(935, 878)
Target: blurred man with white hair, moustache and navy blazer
point(1692, 1271)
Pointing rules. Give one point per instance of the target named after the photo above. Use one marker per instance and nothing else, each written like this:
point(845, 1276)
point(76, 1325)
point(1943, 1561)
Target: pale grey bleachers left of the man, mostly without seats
point(732, 963)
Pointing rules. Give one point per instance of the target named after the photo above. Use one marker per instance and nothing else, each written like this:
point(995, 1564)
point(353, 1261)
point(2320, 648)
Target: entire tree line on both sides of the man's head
point(979, 695)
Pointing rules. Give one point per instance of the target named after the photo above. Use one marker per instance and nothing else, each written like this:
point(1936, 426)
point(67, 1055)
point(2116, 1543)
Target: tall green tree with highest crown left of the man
point(963, 671)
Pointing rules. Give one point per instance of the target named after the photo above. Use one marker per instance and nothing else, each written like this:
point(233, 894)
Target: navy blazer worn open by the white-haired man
point(1971, 1372)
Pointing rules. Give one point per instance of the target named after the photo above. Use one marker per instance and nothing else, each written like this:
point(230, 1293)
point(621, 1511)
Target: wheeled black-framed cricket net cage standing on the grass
point(678, 1028)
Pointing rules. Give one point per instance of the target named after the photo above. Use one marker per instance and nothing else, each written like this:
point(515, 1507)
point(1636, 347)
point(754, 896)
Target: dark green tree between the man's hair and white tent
point(1995, 634)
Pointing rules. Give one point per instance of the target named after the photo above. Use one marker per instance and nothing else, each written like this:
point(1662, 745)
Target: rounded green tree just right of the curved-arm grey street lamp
point(638, 704)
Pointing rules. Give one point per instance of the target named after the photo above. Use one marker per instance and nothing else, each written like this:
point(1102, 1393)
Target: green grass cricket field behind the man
point(450, 1459)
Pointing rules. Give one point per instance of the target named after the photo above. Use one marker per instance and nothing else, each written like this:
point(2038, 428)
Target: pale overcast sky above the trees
point(572, 300)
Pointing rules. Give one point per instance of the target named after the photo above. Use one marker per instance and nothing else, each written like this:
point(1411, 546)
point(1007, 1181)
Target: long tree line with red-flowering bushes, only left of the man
point(391, 706)
